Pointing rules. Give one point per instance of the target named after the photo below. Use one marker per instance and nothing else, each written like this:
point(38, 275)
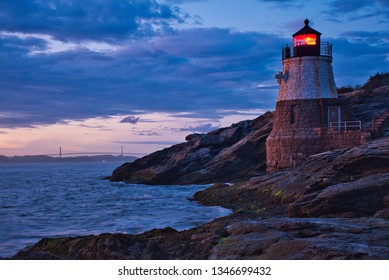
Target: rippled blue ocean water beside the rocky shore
point(71, 199)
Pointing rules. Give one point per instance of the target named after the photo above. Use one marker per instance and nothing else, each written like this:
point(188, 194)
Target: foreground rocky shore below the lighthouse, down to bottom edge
point(328, 208)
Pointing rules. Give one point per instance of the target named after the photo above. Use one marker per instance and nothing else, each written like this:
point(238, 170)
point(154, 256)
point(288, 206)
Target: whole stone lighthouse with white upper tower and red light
point(309, 117)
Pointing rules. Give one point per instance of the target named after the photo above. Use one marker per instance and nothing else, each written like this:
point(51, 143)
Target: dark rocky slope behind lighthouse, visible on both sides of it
point(238, 152)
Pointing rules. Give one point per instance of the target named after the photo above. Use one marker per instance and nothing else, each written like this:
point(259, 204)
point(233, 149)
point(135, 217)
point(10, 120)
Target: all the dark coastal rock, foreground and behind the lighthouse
point(333, 206)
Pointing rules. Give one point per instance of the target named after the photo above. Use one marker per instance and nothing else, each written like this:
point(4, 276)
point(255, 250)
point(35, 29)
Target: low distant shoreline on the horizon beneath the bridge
point(50, 159)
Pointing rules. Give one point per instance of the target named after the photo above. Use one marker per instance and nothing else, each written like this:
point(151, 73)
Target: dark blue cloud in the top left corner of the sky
point(88, 19)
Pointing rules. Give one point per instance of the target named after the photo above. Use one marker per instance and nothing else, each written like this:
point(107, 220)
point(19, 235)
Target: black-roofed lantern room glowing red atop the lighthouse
point(306, 41)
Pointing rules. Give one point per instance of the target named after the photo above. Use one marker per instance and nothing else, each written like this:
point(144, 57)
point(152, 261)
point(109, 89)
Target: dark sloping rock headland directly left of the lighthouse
point(226, 154)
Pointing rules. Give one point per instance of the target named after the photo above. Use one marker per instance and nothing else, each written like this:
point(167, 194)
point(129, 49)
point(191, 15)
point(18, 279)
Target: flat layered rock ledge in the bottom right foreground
point(312, 238)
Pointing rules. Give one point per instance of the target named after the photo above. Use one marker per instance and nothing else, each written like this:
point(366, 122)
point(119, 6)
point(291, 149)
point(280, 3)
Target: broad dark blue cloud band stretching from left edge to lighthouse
point(193, 71)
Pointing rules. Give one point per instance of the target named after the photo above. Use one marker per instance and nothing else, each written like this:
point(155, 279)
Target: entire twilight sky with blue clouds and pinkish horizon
point(98, 75)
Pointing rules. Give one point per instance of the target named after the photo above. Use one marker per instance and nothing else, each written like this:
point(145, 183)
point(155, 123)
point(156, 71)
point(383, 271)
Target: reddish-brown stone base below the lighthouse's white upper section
point(303, 131)
